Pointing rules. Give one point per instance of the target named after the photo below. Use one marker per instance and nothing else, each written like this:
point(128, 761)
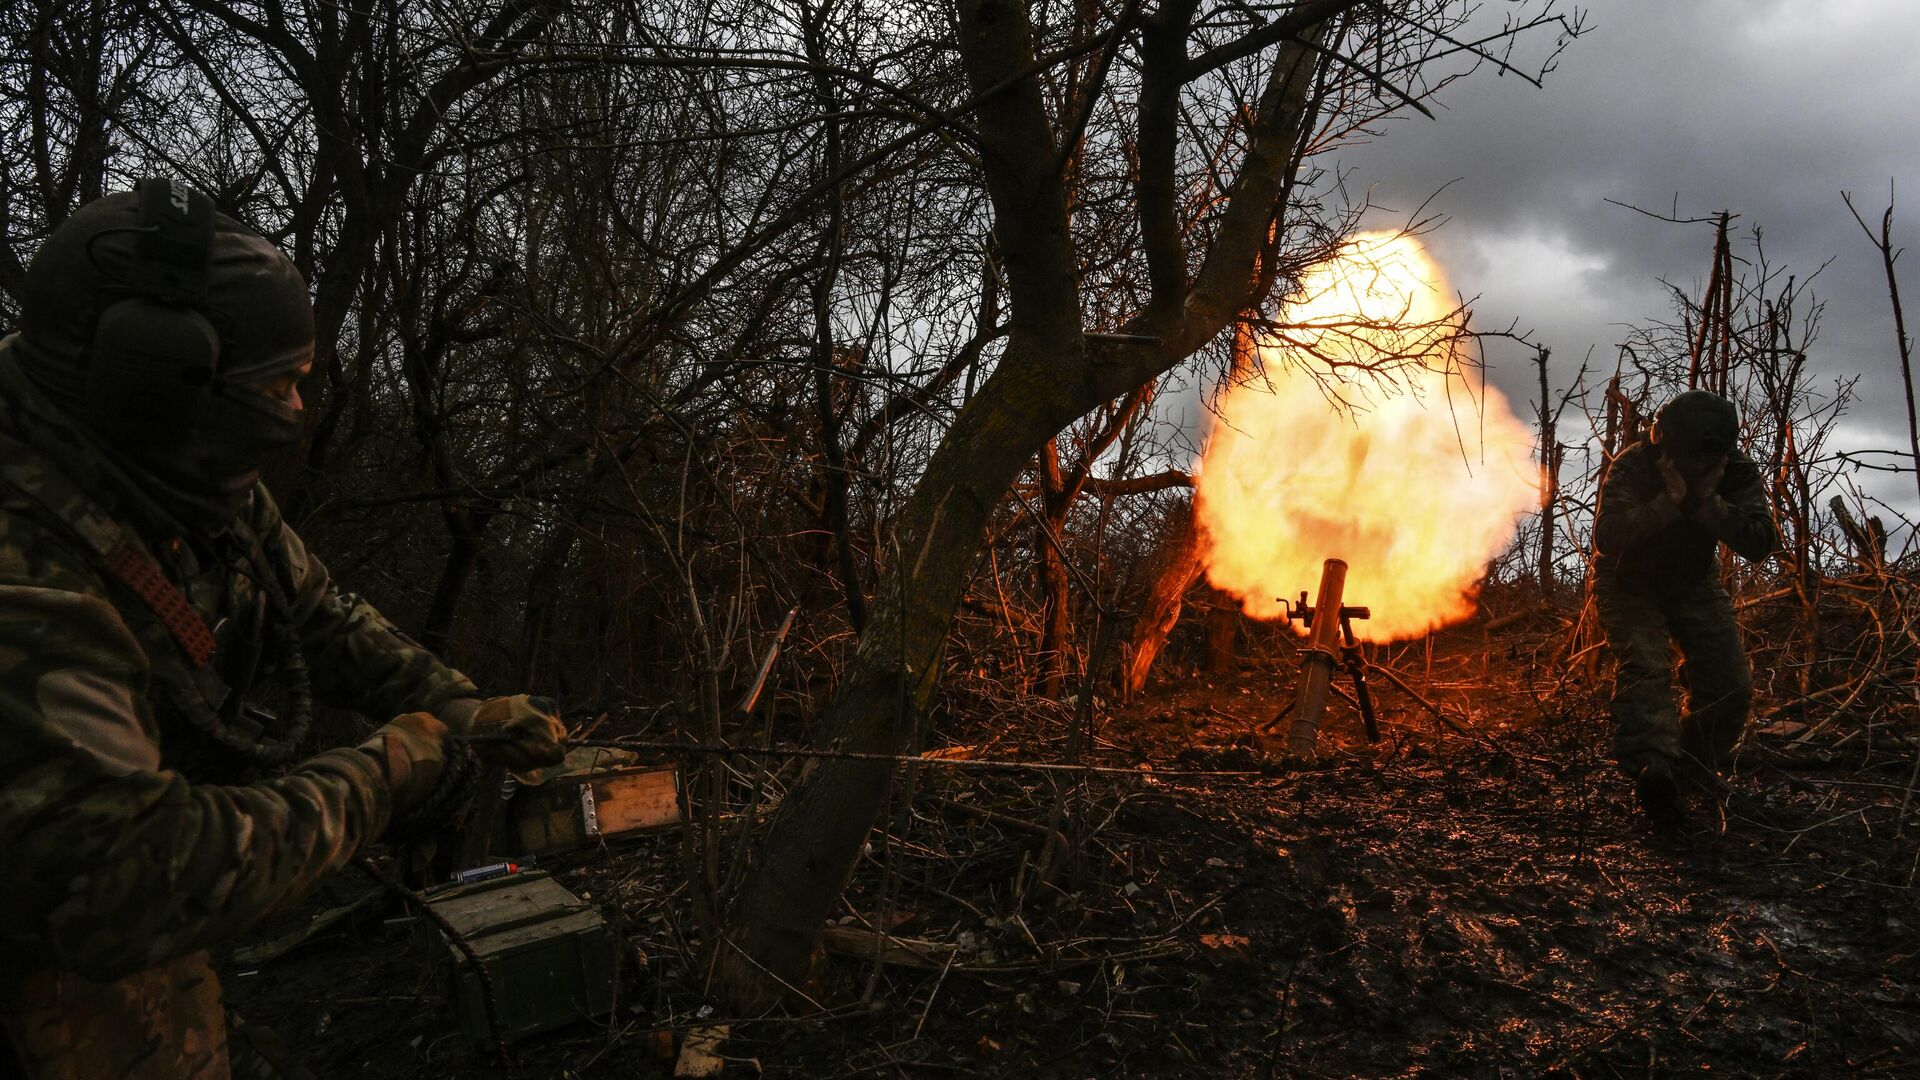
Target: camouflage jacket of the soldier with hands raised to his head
point(1644, 543)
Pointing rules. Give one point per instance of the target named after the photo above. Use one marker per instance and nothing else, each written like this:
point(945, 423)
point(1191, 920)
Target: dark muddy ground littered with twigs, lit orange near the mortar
point(1481, 904)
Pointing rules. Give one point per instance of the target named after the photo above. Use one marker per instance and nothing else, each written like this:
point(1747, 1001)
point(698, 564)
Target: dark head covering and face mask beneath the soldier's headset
point(256, 301)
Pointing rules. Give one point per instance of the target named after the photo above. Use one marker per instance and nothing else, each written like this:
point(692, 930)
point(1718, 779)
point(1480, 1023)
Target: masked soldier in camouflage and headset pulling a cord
point(149, 593)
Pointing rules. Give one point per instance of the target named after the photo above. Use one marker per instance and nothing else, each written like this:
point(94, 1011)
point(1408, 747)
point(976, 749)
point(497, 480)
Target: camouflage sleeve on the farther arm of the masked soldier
point(358, 658)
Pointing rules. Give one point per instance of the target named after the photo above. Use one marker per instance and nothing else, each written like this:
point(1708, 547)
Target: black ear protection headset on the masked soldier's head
point(156, 356)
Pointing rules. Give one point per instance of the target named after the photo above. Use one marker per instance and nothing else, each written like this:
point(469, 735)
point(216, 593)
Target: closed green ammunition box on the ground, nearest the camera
point(546, 952)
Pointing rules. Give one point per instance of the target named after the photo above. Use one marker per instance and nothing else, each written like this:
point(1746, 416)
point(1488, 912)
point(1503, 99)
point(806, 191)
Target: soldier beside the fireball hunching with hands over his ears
point(1666, 508)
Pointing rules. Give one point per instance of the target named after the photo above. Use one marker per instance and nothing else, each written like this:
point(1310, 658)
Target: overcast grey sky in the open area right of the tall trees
point(1767, 109)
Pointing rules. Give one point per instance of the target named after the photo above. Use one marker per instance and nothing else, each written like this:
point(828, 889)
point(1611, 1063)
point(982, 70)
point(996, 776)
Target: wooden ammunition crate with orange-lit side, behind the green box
point(571, 812)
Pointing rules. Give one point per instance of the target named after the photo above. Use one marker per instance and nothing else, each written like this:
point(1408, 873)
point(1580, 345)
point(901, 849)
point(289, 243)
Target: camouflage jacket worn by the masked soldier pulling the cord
point(130, 850)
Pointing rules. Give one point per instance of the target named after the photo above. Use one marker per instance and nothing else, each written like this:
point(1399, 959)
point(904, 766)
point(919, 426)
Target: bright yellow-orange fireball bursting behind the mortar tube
point(1414, 493)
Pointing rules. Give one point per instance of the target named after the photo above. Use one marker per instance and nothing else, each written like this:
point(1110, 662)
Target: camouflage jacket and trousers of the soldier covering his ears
point(1658, 585)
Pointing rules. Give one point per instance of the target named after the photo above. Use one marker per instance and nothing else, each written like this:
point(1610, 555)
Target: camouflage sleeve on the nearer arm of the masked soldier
point(116, 864)
